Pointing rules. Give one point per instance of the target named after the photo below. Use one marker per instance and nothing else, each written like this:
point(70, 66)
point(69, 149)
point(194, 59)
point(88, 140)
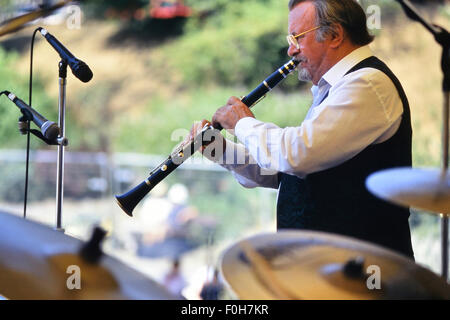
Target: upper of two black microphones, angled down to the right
point(79, 68)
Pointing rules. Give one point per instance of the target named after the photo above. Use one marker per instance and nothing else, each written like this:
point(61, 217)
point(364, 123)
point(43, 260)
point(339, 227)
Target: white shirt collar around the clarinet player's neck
point(336, 72)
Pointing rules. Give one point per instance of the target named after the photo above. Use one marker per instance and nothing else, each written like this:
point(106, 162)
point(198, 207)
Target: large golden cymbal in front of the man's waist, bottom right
point(299, 265)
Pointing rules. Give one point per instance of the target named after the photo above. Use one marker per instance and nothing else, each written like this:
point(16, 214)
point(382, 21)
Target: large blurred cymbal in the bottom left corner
point(37, 262)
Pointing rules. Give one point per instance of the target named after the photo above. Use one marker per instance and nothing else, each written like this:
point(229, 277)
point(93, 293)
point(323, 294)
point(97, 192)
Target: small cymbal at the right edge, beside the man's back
point(427, 189)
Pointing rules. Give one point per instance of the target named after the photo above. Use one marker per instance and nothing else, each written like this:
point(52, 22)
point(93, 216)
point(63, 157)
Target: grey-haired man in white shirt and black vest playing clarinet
point(359, 123)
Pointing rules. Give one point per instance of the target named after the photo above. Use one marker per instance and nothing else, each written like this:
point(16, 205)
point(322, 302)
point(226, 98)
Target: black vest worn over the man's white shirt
point(336, 200)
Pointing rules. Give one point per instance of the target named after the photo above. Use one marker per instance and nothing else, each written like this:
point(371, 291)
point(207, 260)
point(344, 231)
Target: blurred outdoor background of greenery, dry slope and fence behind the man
point(158, 67)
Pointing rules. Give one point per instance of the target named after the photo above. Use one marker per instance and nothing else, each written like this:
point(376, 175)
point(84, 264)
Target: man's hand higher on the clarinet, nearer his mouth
point(228, 115)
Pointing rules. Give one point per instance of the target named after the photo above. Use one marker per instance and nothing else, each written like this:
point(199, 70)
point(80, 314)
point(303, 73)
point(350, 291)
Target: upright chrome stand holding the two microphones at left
point(60, 163)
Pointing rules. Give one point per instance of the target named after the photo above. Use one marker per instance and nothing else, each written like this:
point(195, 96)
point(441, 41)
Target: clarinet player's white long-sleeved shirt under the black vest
point(362, 108)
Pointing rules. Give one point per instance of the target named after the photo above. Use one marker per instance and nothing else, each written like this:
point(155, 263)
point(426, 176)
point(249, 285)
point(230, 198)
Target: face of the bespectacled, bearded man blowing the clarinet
point(311, 54)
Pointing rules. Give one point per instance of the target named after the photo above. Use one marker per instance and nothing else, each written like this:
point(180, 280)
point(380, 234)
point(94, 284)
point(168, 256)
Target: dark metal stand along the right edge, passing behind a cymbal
point(442, 37)
